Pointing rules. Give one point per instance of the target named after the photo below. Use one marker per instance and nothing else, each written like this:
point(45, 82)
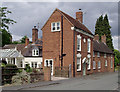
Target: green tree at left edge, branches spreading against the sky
point(4, 26)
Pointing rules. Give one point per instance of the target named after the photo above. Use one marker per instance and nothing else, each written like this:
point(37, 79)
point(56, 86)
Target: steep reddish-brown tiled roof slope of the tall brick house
point(76, 23)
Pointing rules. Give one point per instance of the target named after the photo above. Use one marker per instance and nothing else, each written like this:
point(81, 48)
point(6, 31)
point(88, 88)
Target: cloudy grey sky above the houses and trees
point(29, 14)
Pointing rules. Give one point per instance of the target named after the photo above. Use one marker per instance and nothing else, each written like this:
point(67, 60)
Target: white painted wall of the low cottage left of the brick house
point(33, 59)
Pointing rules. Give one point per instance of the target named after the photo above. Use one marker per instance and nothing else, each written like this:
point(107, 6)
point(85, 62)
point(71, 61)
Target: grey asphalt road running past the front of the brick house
point(102, 81)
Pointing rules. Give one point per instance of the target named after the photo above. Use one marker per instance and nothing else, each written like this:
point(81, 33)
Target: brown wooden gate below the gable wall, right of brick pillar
point(62, 71)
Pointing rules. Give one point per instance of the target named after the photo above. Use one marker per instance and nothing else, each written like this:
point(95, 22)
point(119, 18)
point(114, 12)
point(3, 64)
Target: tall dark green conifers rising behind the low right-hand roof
point(102, 27)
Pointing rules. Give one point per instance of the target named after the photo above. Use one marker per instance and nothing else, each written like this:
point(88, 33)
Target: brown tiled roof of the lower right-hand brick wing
point(101, 47)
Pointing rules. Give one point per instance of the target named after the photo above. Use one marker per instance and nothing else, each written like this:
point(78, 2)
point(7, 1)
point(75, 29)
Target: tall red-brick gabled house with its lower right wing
point(67, 41)
